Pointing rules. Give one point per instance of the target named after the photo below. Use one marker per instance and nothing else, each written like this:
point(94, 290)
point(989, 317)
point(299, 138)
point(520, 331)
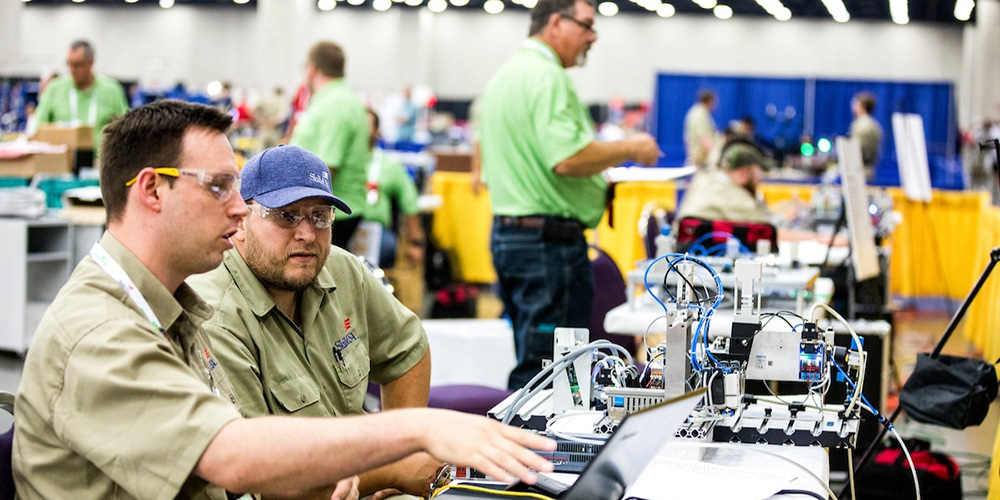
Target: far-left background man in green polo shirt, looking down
point(82, 98)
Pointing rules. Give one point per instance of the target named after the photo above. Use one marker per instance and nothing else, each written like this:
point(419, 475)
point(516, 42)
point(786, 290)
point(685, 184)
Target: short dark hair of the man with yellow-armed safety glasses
point(149, 136)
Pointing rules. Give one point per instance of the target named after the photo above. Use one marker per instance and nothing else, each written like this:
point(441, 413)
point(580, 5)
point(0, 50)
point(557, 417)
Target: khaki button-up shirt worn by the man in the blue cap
point(352, 330)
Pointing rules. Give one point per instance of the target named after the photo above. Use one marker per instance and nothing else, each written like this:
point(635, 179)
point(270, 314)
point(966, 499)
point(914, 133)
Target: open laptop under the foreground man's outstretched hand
point(621, 461)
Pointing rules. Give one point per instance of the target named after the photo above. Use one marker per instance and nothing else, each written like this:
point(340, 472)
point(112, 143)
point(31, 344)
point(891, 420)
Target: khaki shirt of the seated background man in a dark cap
point(712, 195)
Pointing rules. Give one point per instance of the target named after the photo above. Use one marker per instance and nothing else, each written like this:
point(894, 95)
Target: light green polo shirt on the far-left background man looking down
point(54, 105)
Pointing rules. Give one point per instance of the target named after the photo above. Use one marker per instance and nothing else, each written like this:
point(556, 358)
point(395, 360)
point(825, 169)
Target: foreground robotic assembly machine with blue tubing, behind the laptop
point(600, 379)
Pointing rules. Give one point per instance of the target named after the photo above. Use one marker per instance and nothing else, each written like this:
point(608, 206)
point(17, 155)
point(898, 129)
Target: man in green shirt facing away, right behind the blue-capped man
point(335, 128)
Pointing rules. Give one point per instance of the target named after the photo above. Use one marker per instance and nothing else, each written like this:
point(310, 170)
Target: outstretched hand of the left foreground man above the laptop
point(499, 451)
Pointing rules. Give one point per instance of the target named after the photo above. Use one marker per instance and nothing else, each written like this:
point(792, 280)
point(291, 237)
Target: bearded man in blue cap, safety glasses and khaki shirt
point(300, 326)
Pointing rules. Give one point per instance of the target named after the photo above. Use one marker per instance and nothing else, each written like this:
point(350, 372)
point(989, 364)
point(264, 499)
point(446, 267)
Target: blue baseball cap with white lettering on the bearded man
point(283, 175)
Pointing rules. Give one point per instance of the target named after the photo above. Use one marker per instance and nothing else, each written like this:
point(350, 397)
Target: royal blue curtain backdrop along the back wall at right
point(785, 109)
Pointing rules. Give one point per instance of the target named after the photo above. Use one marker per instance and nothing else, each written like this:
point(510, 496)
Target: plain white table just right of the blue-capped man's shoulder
point(470, 351)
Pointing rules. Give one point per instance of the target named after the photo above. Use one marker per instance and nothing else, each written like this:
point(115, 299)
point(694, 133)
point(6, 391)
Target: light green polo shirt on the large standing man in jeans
point(531, 120)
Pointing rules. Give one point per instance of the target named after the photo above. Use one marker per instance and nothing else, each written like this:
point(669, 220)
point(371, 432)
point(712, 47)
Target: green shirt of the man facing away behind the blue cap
point(335, 128)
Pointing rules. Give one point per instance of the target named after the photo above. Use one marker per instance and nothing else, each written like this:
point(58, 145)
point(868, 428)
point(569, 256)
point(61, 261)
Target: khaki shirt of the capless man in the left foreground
point(108, 406)
